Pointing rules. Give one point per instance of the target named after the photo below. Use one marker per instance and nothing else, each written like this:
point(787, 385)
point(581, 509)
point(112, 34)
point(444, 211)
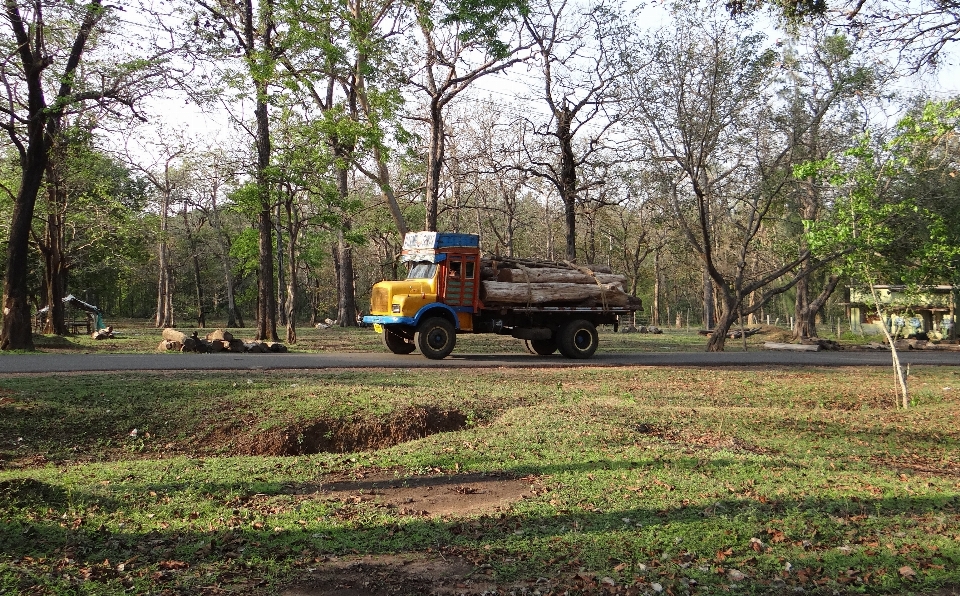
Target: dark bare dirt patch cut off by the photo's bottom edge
point(409, 575)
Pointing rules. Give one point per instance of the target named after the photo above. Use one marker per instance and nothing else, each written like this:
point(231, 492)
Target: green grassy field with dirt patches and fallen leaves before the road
point(581, 481)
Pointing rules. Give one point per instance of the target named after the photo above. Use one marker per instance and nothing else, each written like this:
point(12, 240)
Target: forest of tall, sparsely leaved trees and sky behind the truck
point(735, 161)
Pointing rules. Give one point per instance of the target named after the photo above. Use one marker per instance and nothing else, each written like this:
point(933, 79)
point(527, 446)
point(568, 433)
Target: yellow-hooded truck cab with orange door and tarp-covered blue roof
point(439, 297)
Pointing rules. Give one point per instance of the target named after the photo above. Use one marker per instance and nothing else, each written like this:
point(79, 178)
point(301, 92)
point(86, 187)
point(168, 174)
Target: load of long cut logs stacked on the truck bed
point(515, 282)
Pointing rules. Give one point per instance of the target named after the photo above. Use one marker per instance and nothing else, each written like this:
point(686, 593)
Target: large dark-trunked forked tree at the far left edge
point(33, 123)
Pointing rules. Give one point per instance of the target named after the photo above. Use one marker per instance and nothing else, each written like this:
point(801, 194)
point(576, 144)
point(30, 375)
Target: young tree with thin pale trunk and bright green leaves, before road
point(887, 230)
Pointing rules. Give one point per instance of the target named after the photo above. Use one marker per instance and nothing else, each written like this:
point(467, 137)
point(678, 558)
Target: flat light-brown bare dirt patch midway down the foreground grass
point(446, 495)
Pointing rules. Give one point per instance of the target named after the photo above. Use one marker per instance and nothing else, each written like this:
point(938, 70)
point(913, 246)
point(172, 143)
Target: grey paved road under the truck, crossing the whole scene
point(53, 363)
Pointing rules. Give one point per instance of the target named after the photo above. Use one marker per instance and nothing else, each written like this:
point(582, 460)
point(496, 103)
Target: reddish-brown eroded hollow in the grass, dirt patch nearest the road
point(336, 435)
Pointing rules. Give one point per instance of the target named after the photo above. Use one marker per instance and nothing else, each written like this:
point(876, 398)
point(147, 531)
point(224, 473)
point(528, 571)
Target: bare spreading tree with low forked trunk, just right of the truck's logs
point(701, 108)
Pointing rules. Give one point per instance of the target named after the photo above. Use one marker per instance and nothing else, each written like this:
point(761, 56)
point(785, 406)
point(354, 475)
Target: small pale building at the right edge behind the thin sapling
point(930, 313)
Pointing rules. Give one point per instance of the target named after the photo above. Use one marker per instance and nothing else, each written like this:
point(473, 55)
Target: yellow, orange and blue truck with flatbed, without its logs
point(443, 295)
